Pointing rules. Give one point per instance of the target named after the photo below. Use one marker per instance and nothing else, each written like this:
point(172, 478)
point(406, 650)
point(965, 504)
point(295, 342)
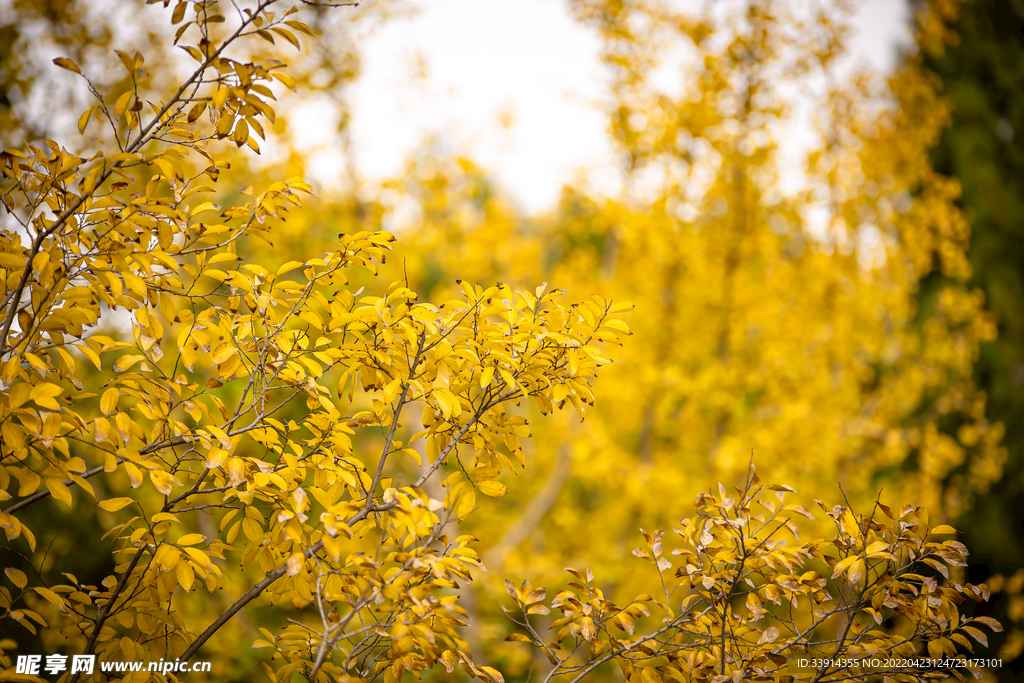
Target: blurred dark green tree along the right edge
point(982, 78)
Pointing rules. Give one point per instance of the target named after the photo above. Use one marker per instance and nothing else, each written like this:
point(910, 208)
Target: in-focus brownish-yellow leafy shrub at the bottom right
point(748, 601)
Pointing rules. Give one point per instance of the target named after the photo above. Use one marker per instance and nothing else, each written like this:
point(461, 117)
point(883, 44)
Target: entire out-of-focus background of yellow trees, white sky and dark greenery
point(816, 207)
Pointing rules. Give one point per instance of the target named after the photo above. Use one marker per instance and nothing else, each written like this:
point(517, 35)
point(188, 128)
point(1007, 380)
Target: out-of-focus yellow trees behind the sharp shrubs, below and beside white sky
point(776, 246)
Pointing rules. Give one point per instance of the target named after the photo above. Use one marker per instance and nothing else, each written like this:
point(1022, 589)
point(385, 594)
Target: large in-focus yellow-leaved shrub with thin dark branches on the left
point(244, 411)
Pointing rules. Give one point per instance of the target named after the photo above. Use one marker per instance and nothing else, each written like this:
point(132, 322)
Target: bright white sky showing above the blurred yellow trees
point(455, 69)
